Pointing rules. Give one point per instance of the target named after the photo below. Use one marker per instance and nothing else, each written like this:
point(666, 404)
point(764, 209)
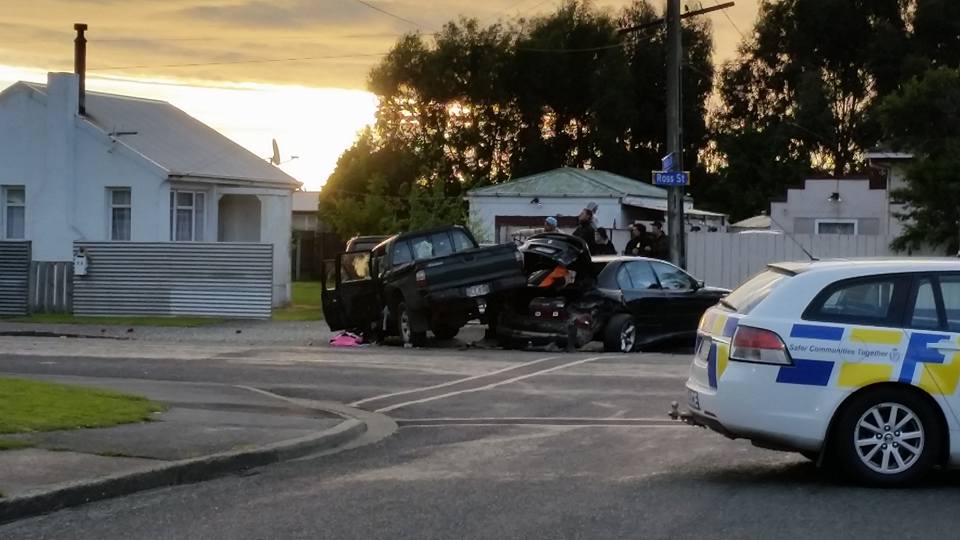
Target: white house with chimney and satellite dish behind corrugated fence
point(131, 169)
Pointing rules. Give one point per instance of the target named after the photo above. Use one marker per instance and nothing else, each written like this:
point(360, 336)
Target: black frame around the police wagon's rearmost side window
point(902, 287)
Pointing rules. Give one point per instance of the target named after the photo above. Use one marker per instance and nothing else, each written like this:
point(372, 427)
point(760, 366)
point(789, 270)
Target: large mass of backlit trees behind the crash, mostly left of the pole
point(477, 105)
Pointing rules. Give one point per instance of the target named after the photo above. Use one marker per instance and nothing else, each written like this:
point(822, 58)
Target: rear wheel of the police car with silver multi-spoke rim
point(888, 437)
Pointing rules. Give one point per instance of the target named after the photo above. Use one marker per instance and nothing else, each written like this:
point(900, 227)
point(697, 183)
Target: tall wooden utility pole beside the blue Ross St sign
point(675, 222)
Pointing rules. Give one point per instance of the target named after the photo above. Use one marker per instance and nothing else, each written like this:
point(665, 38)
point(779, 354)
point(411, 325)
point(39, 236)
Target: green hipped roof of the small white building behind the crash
point(569, 182)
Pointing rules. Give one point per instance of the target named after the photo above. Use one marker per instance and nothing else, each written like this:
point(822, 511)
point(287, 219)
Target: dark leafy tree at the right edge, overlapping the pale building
point(924, 118)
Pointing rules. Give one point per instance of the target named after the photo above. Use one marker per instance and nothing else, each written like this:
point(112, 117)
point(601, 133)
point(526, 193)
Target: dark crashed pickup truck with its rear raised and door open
point(432, 280)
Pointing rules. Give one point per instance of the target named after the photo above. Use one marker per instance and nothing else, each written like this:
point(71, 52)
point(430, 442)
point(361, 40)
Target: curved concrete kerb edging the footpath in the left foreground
point(177, 472)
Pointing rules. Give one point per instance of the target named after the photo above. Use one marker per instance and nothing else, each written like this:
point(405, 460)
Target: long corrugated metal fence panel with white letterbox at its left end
point(167, 278)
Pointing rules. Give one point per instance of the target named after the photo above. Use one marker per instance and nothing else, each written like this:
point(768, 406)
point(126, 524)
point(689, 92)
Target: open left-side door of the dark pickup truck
point(353, 302)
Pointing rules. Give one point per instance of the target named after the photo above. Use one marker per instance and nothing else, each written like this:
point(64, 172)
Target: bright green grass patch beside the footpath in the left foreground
point(27, 406)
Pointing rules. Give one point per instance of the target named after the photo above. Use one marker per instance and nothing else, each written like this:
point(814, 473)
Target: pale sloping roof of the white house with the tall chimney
point(176, 141)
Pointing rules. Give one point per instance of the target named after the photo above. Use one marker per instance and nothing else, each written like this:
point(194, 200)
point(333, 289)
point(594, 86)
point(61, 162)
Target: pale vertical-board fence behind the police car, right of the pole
point(728, 259)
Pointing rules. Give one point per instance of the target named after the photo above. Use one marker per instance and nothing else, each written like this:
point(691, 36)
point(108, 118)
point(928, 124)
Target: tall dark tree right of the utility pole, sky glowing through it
point(798, 98)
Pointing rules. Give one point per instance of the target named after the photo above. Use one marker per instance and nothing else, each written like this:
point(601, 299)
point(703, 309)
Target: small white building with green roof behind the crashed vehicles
point(500, 210)
